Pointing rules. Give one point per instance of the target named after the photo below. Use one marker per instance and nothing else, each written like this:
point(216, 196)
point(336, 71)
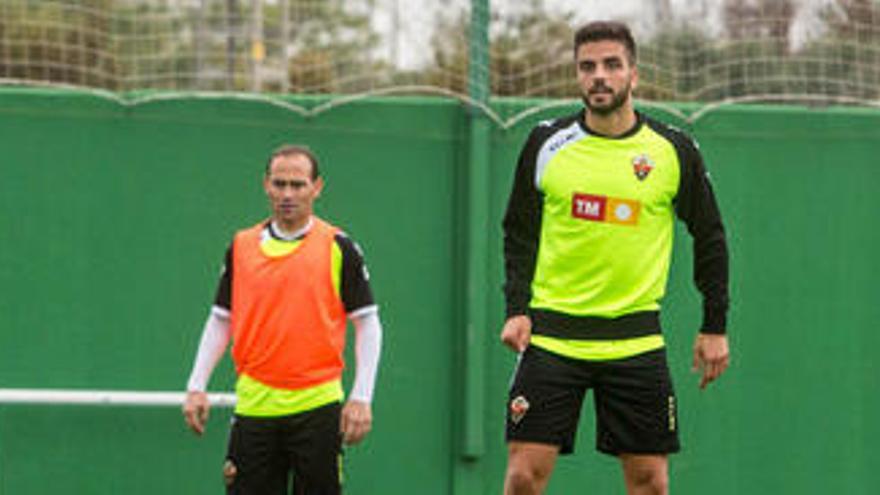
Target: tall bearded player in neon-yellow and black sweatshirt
point(587, 246)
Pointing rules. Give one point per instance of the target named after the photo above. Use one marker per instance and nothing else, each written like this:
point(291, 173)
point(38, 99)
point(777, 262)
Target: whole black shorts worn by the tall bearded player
point(634, 402)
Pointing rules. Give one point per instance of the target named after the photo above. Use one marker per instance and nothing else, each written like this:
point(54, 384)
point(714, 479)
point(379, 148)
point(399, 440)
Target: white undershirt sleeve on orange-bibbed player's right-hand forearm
point(368, 344)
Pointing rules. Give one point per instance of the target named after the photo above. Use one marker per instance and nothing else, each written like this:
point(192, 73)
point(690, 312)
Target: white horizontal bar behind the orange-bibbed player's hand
point(104, 397)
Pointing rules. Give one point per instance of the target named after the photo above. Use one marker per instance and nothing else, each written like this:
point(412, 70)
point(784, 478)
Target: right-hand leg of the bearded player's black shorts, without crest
point(636, 406)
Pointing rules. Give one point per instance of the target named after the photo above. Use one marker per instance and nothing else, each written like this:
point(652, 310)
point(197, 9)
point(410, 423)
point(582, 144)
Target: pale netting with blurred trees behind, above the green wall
point(704, 51)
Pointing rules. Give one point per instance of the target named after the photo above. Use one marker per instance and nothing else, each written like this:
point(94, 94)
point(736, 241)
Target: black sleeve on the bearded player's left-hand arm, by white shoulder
point(522, 228)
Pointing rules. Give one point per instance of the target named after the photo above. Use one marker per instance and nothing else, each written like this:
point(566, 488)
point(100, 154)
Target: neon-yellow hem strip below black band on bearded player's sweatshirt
point(599, 350)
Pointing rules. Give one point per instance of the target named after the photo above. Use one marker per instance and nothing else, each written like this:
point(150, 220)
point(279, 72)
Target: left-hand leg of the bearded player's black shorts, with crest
point(545, 398)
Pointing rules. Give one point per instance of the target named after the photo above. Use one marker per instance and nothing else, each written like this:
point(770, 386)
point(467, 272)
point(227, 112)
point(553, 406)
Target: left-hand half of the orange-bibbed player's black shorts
point(255, 462)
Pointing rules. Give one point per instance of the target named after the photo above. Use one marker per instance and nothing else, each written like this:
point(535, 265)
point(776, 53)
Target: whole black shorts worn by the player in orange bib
point(266, 451)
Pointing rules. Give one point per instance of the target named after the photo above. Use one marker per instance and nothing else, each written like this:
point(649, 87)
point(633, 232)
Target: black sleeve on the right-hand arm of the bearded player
point(696, 206)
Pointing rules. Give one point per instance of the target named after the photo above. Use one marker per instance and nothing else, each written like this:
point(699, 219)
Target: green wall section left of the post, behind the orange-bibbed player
point(115, 222)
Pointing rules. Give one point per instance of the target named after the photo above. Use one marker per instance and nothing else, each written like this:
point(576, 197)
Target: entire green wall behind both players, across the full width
point(114, 221)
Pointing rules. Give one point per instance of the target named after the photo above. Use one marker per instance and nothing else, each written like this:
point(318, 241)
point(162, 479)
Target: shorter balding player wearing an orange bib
point(289, 284)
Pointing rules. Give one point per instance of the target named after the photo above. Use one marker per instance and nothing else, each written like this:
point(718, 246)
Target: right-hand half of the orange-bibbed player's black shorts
point(314, 444)
